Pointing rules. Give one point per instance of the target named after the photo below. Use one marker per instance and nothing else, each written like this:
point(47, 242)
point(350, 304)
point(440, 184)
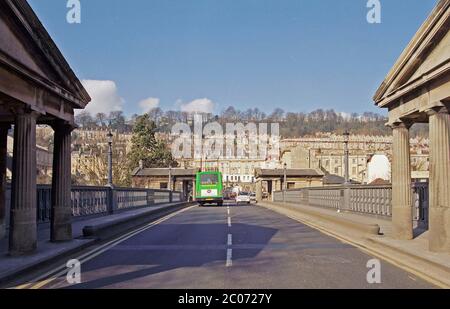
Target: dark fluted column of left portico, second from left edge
point(23, 226)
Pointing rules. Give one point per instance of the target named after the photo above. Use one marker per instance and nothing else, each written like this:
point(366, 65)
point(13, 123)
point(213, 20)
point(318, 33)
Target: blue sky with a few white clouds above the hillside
point(205, 55)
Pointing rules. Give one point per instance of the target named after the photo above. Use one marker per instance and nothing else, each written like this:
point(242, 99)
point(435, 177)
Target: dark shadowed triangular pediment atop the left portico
point(26, 47)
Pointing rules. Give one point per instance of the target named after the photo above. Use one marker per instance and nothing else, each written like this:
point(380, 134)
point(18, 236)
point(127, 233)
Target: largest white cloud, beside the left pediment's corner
point(105, 96)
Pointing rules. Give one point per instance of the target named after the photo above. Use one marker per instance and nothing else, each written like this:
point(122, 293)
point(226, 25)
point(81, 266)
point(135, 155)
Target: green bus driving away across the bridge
point(209, 188)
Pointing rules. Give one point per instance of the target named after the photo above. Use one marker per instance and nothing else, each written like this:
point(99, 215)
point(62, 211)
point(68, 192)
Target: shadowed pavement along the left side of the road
point(48, 252)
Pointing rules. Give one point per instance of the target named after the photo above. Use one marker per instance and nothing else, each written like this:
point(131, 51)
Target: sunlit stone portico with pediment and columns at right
point(417, 90)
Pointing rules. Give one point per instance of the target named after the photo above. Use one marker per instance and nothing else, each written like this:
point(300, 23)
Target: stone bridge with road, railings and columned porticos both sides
point(317, 237)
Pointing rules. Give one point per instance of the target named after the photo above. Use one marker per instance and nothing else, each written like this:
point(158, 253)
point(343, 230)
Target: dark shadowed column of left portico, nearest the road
point(61, 218)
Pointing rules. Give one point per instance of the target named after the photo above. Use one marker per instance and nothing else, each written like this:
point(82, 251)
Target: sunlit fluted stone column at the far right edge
point(439, 230)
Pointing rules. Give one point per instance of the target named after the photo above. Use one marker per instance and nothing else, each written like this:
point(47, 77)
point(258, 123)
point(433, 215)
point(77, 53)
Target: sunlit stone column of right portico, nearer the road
point(402, 220)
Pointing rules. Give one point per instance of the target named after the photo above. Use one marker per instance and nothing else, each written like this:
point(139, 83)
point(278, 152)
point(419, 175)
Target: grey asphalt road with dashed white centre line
point(233, 247)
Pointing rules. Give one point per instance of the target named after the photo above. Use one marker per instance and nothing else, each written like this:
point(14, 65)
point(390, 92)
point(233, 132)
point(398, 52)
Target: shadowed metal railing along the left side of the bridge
point(90, 201)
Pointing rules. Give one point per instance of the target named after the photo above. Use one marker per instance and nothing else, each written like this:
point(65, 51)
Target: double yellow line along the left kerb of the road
point(45, 279)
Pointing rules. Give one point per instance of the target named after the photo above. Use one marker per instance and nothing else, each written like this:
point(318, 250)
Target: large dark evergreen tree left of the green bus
point(153, 153)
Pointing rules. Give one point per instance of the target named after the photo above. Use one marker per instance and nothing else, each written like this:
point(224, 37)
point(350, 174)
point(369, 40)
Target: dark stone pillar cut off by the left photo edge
point(4, 128)
